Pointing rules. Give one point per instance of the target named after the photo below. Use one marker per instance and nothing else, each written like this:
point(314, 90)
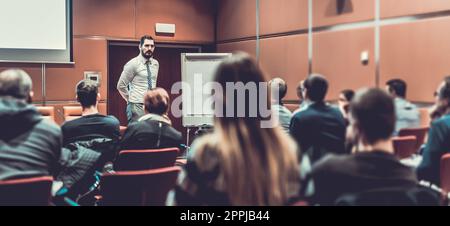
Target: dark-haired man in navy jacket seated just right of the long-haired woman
point(320, 128)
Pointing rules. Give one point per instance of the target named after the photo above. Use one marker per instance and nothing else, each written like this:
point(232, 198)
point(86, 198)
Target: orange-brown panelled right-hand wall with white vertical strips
point(405, 39)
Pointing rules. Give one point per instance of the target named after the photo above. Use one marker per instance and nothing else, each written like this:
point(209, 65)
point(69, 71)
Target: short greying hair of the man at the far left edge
point(15, 83)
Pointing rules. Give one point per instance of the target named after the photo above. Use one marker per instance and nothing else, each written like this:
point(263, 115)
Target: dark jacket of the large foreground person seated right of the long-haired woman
point(335, 176)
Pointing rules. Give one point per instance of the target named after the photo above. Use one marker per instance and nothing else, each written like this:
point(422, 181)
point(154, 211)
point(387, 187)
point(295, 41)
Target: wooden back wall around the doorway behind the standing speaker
point(94, 23)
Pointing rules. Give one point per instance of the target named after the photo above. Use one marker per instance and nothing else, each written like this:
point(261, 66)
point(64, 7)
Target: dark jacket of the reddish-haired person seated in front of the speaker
point(150, 133)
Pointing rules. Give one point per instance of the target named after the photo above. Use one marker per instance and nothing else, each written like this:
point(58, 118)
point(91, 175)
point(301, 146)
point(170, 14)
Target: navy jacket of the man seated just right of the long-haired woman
point(319, 130)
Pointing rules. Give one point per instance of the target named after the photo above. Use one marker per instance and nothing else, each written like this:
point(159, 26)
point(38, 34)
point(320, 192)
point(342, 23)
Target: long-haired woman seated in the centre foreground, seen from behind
point(240, 163)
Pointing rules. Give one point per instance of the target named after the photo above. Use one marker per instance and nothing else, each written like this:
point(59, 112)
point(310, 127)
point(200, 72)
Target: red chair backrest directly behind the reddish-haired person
point(145, 159)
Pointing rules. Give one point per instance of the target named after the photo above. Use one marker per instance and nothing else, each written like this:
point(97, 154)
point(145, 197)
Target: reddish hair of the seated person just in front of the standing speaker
point(157, 101)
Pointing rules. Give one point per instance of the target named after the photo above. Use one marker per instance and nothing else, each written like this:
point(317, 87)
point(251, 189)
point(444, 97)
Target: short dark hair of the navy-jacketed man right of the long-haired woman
point(316, 87)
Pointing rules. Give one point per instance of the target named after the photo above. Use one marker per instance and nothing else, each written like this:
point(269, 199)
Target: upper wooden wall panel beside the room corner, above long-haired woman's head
point(236, 19)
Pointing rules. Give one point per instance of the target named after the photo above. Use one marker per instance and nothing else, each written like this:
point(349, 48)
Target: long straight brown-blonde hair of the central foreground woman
point(259, 166)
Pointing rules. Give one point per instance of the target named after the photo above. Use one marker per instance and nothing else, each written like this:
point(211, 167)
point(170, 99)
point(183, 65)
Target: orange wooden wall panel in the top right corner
point(392, 8)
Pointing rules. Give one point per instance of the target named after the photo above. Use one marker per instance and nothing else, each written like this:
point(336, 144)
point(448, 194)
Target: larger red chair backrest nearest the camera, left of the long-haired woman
point(138, 188)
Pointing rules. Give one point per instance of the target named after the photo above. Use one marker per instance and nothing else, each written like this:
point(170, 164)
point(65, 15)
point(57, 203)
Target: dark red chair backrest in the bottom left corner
point(34, 191)
